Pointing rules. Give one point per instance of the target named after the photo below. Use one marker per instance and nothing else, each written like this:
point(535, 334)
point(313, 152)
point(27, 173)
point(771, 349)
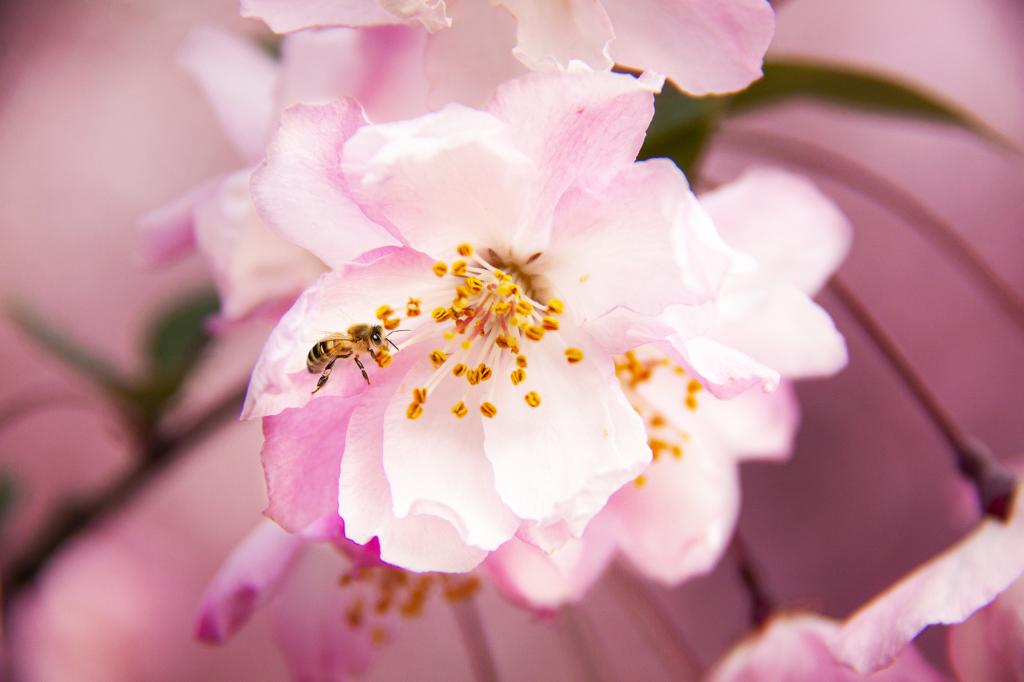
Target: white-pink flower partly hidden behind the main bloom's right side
point(677, 520)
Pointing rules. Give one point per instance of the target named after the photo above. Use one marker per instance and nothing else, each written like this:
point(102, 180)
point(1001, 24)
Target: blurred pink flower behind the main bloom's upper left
point(253, 268)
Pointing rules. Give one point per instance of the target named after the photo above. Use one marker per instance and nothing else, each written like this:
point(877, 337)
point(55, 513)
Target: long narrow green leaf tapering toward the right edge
point(856, 89)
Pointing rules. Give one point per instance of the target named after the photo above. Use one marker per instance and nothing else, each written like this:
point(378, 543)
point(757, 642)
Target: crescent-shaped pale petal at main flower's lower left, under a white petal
point(416, 542)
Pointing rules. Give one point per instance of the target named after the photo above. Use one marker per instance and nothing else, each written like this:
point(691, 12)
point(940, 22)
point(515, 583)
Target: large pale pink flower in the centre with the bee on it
point(523, 227)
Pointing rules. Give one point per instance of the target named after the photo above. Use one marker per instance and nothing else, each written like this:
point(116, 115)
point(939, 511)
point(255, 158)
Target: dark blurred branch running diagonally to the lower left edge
point(80, 519)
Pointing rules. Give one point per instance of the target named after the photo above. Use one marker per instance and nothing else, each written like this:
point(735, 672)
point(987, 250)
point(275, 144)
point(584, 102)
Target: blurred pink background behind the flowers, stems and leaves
point(98, 125)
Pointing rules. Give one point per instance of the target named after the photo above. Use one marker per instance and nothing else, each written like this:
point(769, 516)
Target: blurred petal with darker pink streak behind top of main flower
point(382, 68)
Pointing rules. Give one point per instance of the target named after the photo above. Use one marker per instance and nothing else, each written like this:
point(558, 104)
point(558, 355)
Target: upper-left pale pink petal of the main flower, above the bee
point(300, 192)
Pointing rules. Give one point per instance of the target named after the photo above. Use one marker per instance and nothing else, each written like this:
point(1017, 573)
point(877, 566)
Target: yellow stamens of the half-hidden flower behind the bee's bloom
point(664, 437)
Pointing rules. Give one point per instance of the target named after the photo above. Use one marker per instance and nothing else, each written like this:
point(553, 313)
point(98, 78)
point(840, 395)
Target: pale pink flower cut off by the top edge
point(704, 47)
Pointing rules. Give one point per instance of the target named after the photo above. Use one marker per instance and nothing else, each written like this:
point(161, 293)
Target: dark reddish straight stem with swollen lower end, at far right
point(994, 483)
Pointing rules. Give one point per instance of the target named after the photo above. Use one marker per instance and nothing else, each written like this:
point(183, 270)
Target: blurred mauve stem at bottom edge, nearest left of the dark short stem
point(675, 653)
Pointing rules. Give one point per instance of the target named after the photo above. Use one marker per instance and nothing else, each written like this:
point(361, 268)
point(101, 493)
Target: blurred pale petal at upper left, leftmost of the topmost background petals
point(240, 81)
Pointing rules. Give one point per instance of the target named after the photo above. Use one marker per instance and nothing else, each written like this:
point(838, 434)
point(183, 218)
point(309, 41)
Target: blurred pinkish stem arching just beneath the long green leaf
point(867, 183)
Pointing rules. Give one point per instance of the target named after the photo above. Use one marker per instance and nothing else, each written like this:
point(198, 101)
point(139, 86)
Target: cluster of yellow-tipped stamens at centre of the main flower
point(486, 318)
